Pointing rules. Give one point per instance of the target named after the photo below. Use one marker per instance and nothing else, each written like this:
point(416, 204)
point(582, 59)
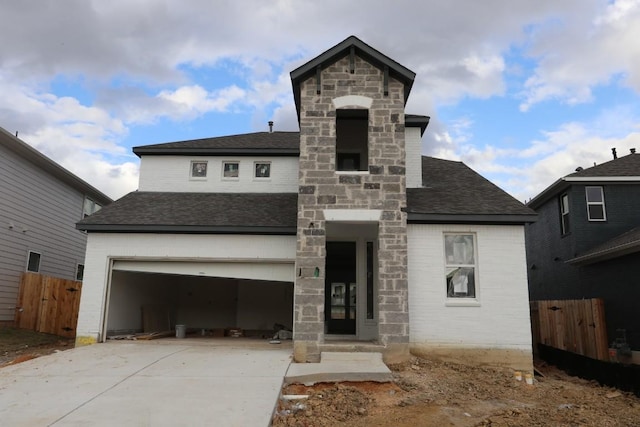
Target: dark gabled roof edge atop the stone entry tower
point(342, 49)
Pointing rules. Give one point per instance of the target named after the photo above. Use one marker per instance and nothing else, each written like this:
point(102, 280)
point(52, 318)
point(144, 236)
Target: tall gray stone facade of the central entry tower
point(321, 188)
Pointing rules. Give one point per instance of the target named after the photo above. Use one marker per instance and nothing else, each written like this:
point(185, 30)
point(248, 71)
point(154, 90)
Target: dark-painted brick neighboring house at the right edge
point(586, 242)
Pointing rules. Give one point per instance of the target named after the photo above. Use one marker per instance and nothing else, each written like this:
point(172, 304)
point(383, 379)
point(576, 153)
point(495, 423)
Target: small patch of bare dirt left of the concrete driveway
point(18, 345)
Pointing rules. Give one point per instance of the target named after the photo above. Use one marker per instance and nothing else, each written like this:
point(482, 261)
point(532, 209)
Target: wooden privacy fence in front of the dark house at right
point(573, 325)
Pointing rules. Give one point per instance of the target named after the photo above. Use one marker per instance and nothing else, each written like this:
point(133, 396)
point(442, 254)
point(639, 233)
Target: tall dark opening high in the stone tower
point(352, 140)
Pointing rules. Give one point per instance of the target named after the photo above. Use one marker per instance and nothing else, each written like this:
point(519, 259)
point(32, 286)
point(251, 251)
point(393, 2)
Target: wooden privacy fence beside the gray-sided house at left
point(48, 304)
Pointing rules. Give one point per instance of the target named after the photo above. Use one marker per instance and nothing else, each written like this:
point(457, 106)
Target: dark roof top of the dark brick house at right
point(622, 169)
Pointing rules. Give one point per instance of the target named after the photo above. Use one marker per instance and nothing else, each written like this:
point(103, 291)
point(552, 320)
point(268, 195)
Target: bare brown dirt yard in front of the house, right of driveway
point(429, 393)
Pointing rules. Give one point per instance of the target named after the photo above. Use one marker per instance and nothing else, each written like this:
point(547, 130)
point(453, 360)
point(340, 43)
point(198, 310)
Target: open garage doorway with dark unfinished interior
point(147, 302)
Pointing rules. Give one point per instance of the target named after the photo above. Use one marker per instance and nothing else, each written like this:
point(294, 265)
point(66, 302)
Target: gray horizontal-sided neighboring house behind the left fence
point(40, 203)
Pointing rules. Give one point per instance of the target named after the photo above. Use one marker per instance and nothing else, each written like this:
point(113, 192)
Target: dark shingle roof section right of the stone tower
point(454, 193)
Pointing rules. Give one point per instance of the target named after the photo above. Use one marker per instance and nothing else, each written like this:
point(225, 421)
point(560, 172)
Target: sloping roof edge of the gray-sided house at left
point(32, 155)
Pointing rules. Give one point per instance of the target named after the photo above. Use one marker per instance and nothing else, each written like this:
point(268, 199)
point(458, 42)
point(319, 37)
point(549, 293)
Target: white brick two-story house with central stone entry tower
point(341, 231)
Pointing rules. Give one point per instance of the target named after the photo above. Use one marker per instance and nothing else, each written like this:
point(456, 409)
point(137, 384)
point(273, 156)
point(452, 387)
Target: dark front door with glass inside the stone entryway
point(340, 288)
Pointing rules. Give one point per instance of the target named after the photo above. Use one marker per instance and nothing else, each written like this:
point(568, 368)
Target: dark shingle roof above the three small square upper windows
point(271, 143)
